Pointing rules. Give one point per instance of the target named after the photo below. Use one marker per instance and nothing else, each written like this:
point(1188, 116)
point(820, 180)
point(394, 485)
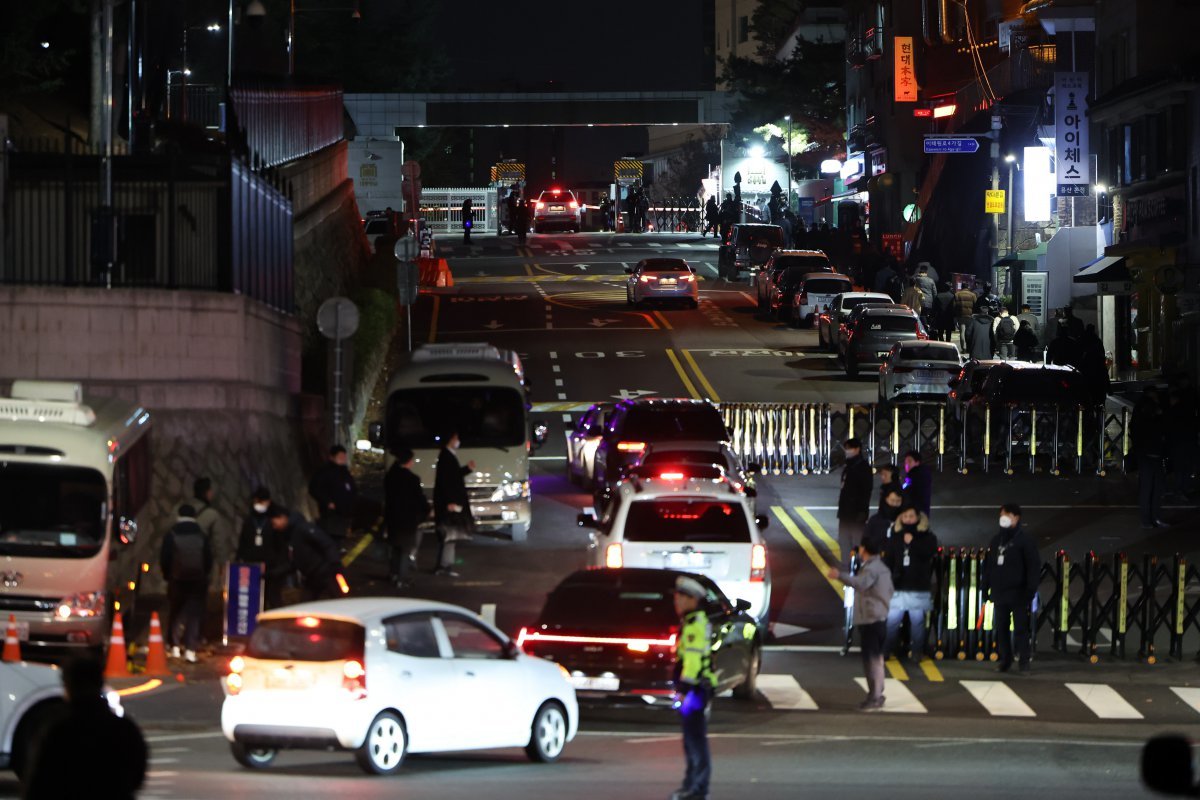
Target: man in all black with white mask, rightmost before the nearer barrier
point(1011, 576)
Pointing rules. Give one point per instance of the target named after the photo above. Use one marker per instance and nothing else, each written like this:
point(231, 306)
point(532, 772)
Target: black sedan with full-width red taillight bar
point(615, 633)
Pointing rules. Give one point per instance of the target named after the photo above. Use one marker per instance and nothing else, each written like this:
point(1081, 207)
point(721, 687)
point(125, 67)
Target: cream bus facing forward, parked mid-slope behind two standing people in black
point(478, 390)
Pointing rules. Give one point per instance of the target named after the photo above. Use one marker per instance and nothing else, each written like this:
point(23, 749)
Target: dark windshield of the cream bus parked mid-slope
point(484, 417)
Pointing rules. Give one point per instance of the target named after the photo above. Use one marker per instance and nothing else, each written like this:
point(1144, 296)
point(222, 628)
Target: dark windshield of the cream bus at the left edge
point(51, 512)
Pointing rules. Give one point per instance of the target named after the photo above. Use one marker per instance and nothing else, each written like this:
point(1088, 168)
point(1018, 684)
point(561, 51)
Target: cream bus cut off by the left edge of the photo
point(73, 480)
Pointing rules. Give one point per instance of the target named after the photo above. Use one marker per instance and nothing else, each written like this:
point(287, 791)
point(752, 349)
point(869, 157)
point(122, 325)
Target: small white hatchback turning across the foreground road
point(386, 677)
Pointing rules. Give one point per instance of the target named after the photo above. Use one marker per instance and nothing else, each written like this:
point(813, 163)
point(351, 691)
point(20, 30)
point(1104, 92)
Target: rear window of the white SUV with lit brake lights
point(686, 520)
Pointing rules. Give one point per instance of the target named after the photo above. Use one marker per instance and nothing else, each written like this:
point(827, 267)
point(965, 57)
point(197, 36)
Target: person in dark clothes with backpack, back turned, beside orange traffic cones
point(187, 561)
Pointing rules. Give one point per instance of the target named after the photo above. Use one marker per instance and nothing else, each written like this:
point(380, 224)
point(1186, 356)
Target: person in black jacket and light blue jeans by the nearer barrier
point(910, 555)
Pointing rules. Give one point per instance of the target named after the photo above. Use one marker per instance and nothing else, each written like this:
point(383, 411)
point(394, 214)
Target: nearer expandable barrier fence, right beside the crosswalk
point(1097, 607)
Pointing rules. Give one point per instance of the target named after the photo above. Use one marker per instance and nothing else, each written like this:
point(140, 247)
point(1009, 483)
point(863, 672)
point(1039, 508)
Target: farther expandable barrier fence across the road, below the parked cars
point(806, 438)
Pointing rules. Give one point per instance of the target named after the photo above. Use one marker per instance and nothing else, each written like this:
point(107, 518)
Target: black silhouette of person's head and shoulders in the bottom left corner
point(109, 753)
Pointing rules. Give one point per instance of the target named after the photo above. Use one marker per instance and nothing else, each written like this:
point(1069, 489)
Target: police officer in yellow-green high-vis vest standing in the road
point(694, 687)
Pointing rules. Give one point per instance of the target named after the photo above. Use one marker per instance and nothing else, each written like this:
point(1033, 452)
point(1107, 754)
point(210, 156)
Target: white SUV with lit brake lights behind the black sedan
point(688, 518)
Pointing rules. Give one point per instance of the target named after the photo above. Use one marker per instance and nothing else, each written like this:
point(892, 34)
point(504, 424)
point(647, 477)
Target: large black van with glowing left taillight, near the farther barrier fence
point(637, 424)
